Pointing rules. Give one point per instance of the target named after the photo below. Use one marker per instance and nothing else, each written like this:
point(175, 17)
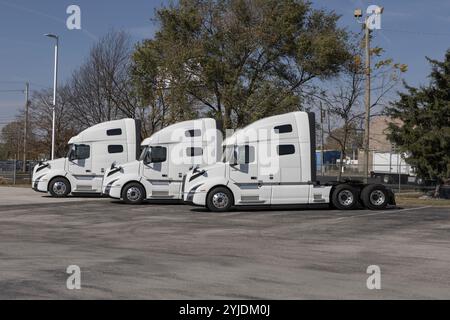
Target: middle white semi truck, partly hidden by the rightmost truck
point(166, 157)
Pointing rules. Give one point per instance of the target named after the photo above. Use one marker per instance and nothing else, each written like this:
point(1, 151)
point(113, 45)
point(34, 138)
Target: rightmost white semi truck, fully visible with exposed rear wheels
point(272, 162)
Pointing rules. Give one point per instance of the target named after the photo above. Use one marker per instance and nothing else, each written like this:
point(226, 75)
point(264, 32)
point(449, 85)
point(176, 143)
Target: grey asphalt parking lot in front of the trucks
point(170, 251)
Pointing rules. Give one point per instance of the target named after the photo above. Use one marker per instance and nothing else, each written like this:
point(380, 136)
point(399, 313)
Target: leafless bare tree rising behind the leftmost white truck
point(101, 89)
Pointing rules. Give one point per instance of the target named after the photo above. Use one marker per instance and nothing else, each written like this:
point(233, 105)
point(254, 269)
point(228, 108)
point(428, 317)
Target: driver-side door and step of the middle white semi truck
point(156, 171)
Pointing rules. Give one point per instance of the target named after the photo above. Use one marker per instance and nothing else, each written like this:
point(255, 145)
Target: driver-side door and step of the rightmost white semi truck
point(245, 175)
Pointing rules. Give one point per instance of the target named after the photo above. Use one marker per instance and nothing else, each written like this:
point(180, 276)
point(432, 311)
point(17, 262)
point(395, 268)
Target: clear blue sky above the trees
point(410, 31)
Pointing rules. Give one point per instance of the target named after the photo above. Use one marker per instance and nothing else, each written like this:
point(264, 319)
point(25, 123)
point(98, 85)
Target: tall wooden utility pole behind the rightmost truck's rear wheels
point(367, 102)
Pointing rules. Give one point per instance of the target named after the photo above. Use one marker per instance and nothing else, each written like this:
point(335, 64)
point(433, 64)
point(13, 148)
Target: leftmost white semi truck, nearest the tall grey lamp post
point(90, 154)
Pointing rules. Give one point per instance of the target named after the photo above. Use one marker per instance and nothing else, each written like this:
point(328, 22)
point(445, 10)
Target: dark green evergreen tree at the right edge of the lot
point(425, 130)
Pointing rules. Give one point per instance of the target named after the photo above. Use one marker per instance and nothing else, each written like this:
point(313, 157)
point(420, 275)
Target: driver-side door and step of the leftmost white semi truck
point(80, 167)
